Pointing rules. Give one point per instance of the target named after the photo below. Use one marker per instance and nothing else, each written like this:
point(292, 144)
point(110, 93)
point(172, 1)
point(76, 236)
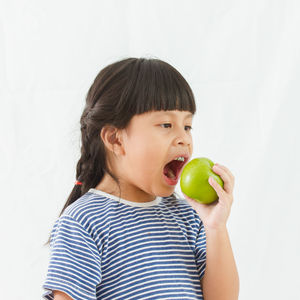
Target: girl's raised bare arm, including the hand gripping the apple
point(220, 280)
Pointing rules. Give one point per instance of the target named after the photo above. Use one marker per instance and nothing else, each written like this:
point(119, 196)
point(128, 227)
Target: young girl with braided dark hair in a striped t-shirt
point(123, 233)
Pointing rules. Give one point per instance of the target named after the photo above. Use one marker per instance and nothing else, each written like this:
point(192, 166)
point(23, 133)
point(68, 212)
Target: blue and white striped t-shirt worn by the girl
point(105, 247)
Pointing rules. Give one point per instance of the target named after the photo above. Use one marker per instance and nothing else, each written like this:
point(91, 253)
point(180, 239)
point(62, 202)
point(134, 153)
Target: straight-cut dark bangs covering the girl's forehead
point(159, 86)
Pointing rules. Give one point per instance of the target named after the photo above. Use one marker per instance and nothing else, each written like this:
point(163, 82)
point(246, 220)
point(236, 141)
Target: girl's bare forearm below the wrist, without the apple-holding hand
point(220, 280)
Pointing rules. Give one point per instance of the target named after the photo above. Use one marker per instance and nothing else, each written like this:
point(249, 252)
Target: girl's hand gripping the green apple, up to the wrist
point(215, 215)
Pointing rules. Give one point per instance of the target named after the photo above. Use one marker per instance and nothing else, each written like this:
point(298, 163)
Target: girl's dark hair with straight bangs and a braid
point(125, 88)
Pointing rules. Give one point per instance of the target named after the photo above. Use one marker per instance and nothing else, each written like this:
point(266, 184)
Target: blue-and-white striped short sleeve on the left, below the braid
point(75, 263)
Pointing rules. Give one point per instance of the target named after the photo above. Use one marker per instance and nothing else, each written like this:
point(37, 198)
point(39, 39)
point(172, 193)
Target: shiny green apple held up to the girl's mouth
point(194, 180)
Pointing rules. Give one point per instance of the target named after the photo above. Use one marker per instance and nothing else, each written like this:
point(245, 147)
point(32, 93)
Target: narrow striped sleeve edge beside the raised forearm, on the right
point(200, 250)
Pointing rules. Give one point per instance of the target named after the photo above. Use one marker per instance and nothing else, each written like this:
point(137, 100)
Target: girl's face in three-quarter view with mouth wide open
point(149, 146)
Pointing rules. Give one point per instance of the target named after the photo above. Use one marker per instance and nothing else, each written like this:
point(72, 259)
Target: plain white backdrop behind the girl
point(242, 61)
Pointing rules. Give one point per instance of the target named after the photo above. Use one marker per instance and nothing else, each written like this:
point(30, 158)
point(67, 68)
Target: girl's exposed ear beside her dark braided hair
point(112, 139)
